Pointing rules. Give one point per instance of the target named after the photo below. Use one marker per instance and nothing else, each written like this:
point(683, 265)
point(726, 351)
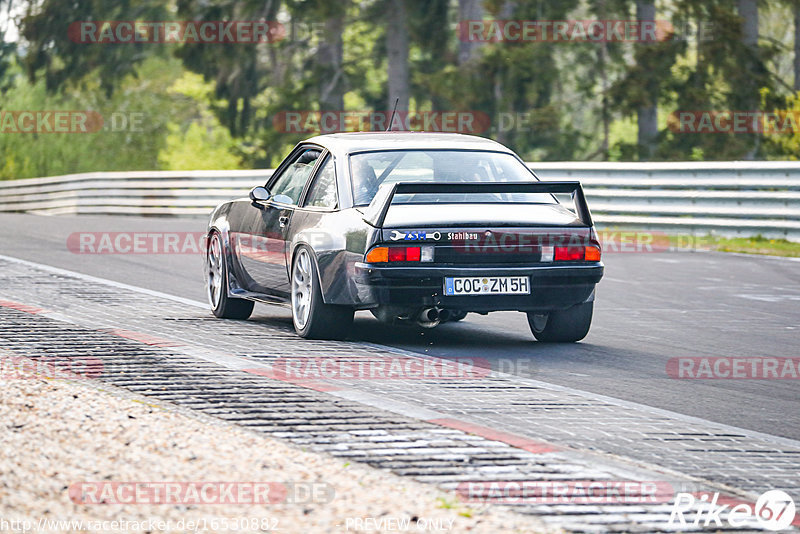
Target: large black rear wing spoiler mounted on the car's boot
point(375, 214)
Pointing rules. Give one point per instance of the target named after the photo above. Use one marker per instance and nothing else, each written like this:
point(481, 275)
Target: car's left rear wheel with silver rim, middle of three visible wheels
point(312, 318)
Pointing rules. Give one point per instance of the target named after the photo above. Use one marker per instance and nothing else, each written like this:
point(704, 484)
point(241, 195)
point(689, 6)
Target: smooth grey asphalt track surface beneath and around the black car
point(650, 307)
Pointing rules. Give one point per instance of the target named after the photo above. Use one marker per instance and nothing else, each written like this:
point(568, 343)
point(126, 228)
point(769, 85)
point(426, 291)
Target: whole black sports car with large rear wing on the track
point(415, 227)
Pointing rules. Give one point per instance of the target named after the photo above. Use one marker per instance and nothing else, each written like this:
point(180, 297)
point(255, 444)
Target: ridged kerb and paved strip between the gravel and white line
point(463, 435)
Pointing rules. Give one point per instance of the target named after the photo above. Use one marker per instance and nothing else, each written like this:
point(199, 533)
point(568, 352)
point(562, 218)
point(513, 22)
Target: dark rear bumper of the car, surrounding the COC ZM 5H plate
point(552, 287)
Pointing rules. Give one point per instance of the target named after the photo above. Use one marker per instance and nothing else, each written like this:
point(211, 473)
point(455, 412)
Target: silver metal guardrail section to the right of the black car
point(726, 198)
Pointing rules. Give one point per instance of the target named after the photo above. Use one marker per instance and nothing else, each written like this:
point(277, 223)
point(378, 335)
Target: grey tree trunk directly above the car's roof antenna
point(397, 53)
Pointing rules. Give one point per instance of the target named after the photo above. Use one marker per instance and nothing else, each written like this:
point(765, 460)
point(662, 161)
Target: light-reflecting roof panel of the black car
point(348, 143)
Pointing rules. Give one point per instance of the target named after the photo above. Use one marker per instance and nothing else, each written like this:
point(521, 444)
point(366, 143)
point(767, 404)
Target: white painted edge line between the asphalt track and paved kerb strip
point(545, 385)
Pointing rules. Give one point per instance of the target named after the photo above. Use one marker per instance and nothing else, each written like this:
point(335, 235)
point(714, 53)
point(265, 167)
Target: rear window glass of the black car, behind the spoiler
point(370, 170)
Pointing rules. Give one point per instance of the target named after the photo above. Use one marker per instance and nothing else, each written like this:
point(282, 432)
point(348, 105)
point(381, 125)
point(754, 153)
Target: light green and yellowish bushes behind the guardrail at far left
point(141, 133)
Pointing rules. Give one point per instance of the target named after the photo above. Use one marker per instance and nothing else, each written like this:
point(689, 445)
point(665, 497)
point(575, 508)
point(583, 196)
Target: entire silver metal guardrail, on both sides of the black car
point(729, 198)
